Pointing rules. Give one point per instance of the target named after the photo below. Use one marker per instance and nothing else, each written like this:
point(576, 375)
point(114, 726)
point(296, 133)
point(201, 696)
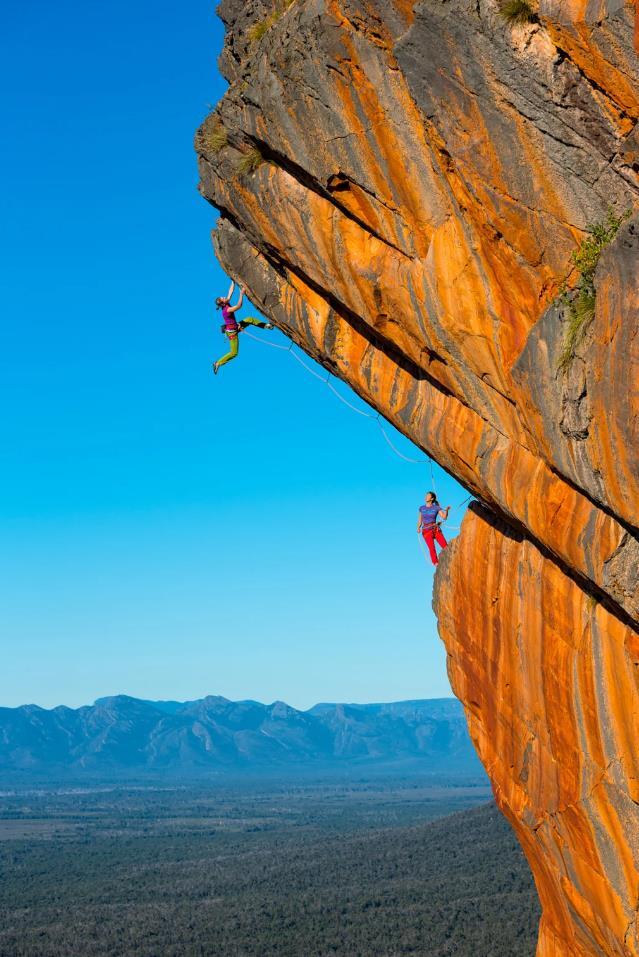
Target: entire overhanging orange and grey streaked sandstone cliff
point(401, 186)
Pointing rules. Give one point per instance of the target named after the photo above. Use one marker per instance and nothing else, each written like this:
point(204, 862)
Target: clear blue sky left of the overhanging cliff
point(165, 533)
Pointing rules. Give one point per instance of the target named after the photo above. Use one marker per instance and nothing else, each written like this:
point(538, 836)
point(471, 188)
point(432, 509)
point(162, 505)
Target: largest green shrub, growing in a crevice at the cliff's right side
point(581, 306)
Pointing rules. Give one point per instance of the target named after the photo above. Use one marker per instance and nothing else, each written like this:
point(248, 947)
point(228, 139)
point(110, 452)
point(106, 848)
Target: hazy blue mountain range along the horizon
point(127, 735)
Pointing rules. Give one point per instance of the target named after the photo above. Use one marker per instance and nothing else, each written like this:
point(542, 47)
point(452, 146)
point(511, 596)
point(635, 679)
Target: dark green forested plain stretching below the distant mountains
point(370, 869)
